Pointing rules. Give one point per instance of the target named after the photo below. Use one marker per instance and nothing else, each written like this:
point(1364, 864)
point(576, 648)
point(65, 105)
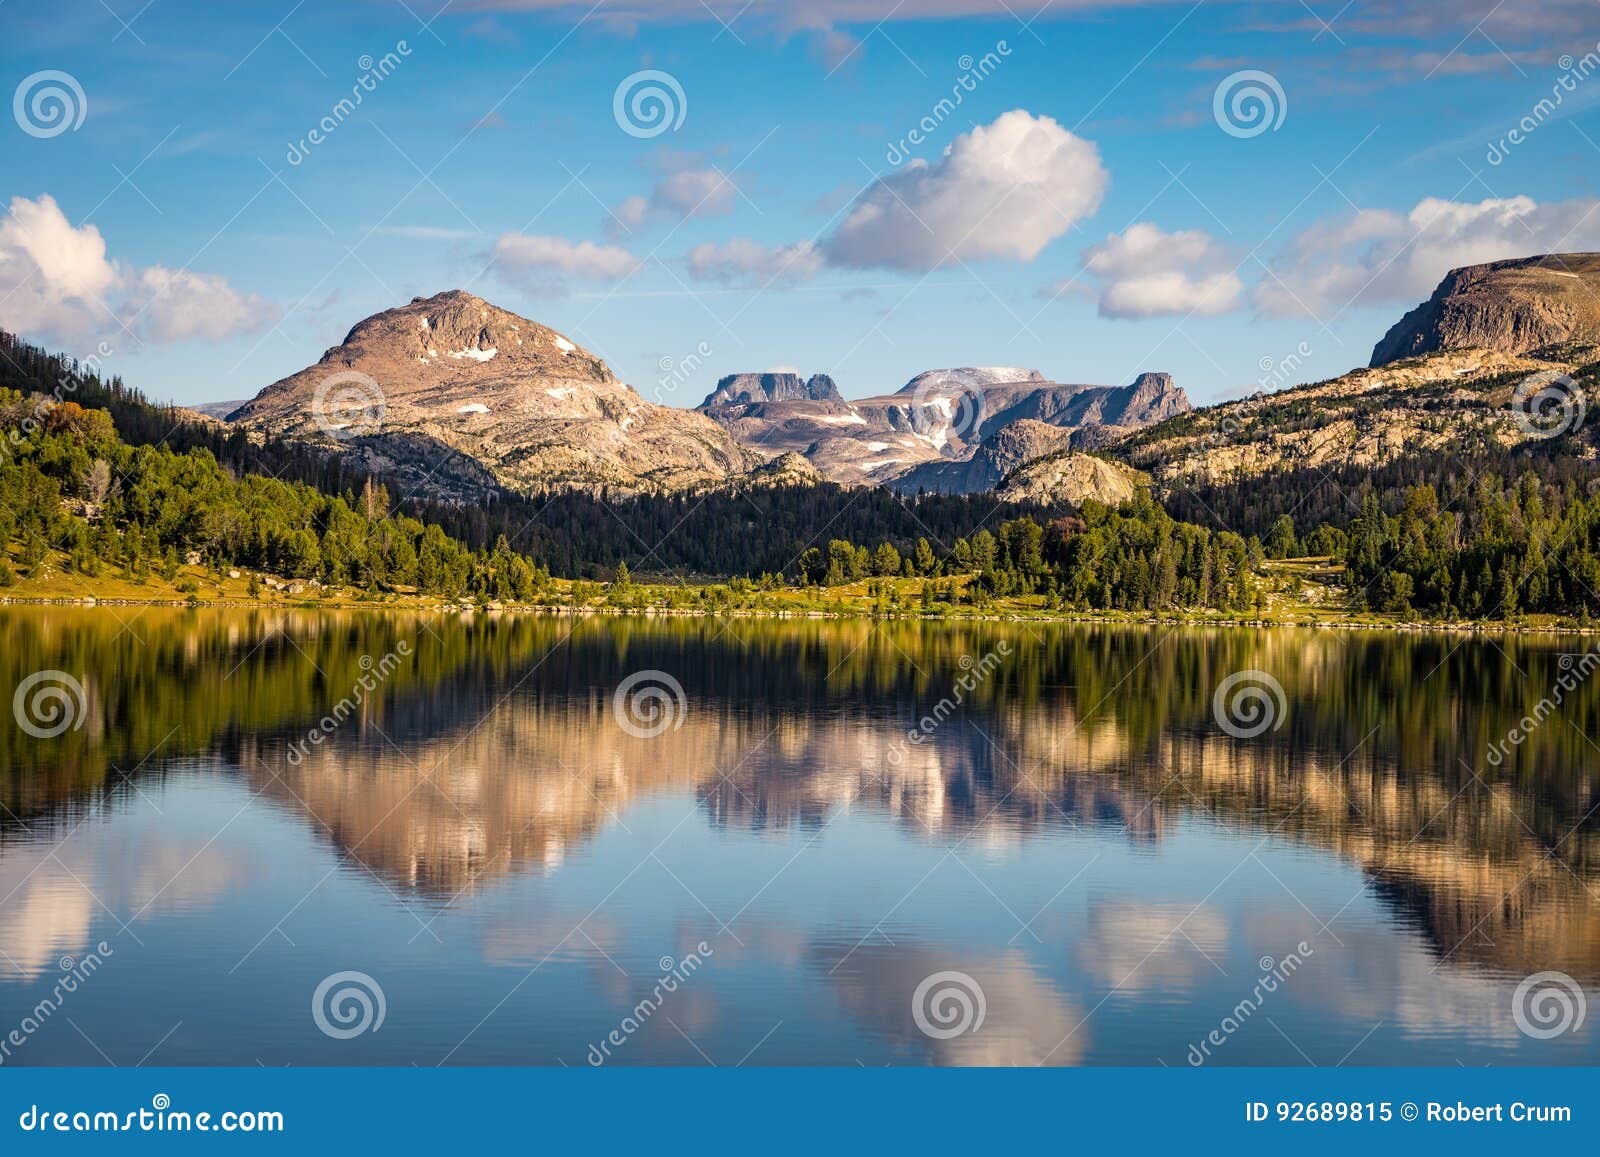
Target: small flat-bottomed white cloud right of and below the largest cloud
point(1148, 273)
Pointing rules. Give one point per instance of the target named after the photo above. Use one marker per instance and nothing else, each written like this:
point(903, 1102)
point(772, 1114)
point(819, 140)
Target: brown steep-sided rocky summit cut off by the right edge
point(1510, 306)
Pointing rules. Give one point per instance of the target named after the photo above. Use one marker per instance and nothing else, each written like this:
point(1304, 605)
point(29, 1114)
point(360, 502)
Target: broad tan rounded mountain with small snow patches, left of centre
point(455, 396)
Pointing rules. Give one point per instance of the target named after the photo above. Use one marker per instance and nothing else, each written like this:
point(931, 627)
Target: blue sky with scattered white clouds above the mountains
point(1084, 210)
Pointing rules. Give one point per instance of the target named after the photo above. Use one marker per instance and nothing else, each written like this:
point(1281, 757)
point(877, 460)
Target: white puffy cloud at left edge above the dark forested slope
point(58, 284)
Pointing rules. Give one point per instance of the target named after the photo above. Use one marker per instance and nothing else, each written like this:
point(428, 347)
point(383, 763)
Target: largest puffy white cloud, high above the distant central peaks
point(1001, 191)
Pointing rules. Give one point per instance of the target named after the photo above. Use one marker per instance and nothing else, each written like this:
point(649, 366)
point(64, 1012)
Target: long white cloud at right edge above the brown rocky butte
point(1385, 257)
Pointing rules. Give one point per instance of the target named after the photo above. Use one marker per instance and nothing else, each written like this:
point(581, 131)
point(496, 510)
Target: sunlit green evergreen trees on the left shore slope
point(70, 484)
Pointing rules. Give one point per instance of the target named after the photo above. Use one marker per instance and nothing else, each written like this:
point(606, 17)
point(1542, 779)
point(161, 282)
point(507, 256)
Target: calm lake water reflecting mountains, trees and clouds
point(1076, 860)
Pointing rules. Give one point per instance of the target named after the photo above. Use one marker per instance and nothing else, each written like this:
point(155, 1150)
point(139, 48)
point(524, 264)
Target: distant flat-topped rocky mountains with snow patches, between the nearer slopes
point(932, 431)
